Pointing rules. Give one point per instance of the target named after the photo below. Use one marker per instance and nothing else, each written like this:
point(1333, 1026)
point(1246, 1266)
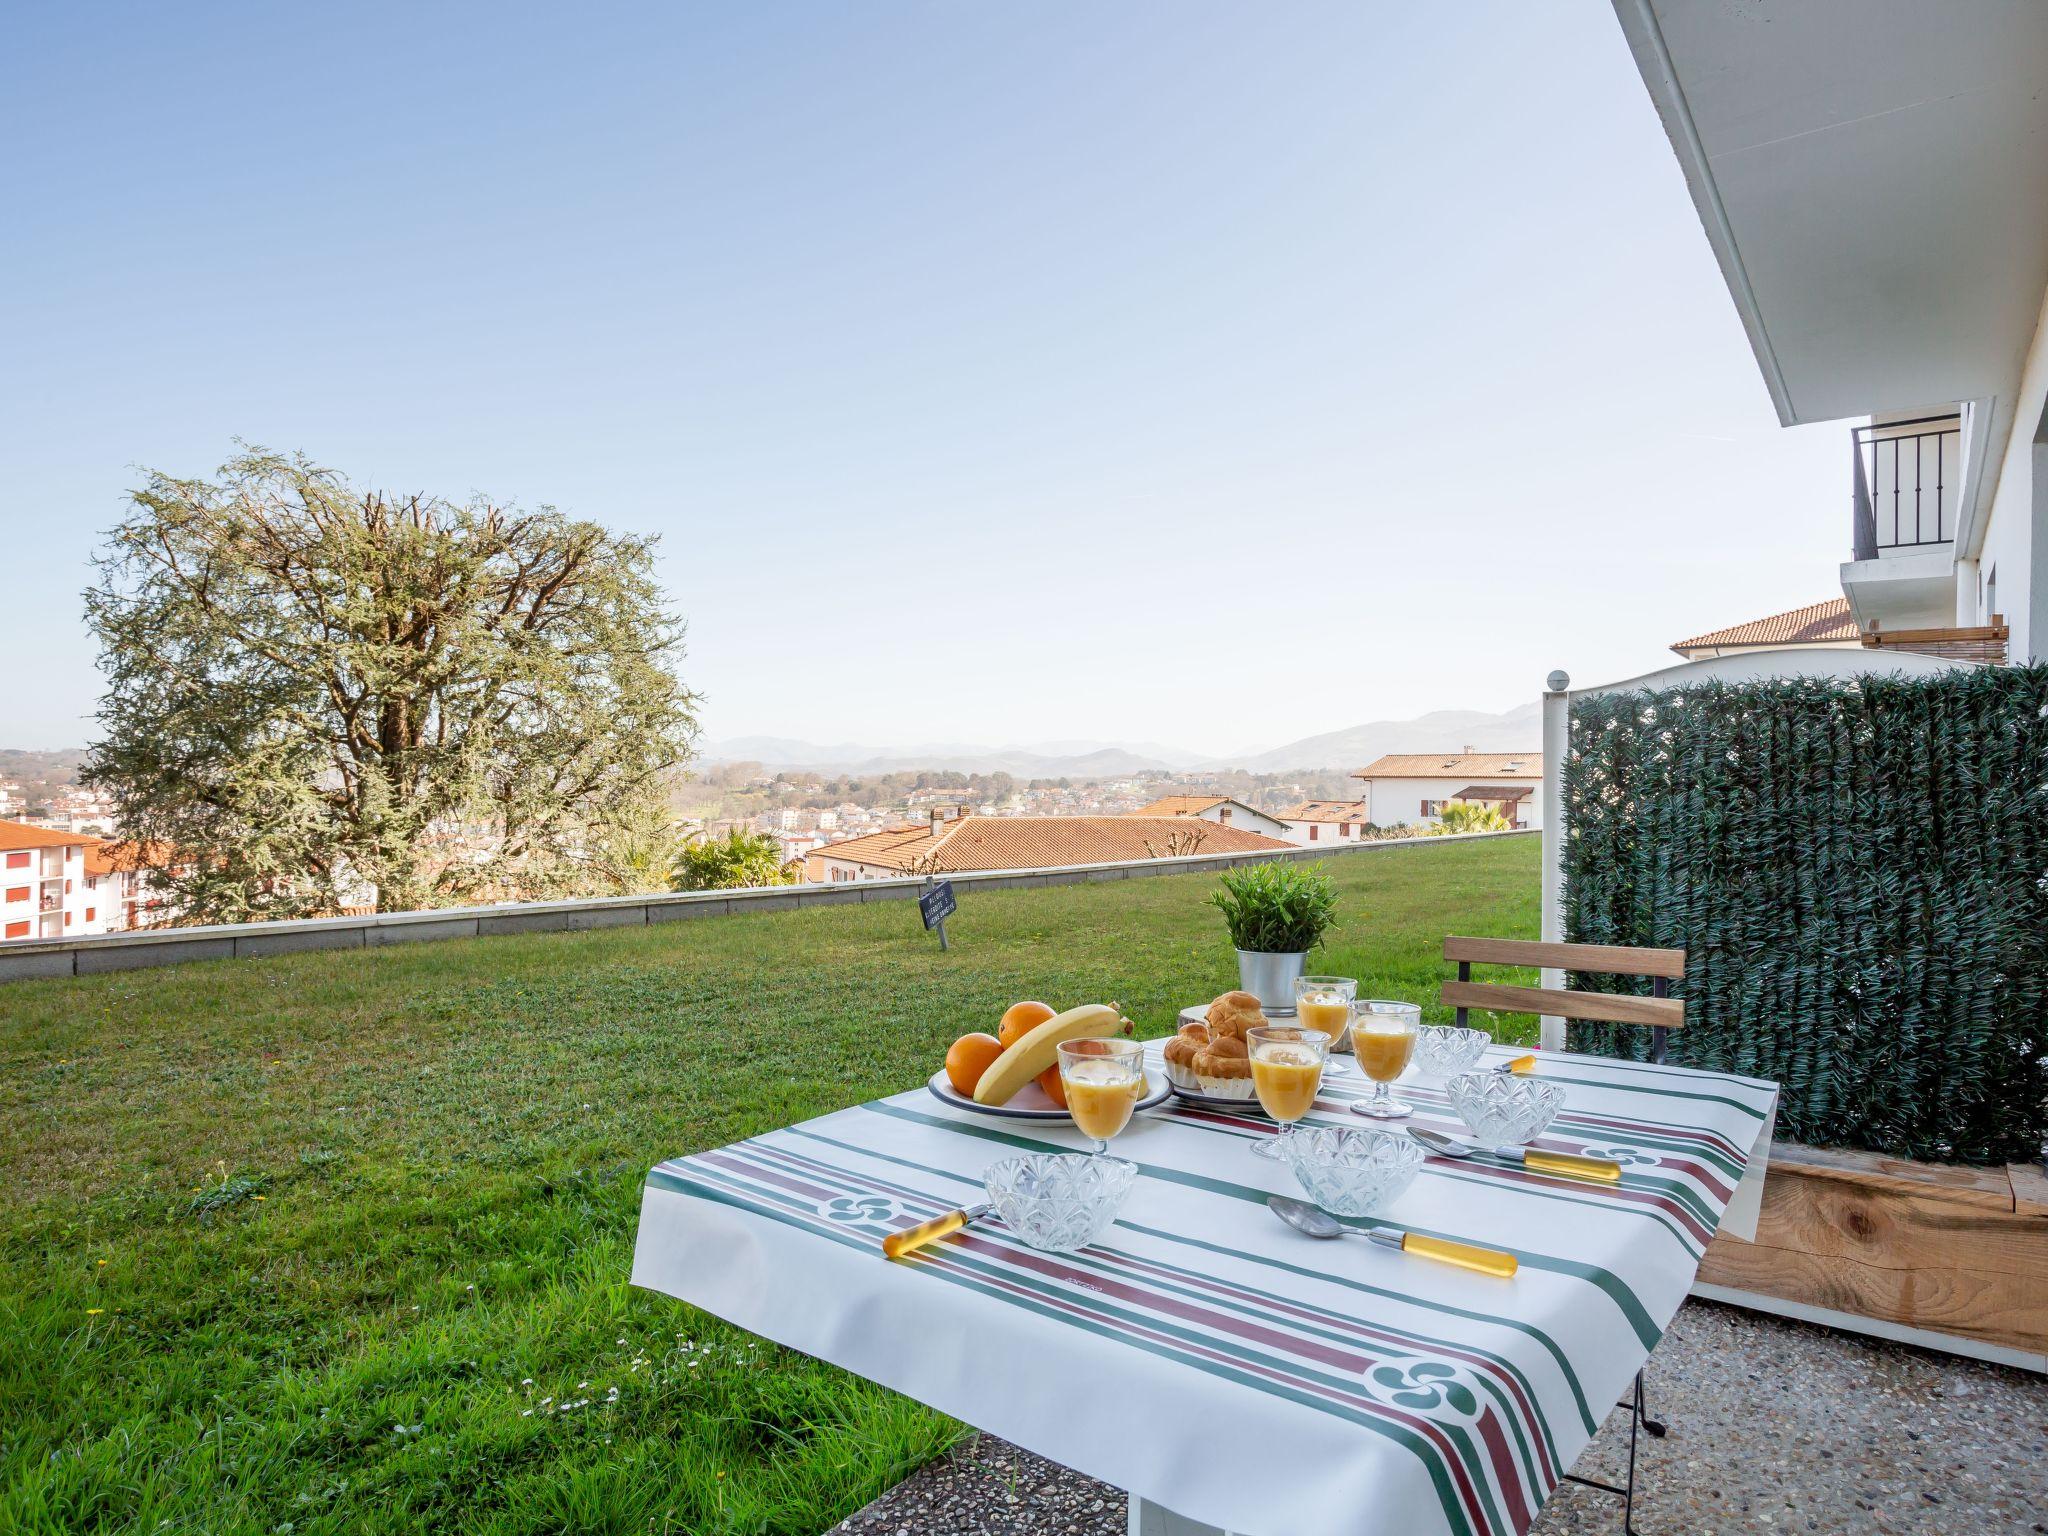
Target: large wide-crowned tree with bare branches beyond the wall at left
point(321, 695)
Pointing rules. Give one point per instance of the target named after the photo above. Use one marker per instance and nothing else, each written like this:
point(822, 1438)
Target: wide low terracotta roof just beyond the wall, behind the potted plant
point(1039, 843)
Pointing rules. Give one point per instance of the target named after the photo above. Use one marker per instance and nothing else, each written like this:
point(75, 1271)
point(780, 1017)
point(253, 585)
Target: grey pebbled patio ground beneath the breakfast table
point(1775, 1428)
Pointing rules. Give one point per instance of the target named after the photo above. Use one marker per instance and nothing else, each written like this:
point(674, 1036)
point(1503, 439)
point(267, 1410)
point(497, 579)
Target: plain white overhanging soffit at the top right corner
point(1875, 181)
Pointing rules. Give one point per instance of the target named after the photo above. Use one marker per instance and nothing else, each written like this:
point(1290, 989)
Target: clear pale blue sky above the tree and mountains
point(1197, 374)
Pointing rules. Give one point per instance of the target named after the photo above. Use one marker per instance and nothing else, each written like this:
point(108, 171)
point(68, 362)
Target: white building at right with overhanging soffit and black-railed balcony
point(1871, 177)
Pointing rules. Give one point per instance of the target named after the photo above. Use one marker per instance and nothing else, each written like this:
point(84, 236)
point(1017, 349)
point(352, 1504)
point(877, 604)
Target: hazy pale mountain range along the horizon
point(1517, 730)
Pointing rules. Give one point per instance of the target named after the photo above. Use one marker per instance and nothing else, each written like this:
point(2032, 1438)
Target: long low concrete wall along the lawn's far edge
point(65, 957)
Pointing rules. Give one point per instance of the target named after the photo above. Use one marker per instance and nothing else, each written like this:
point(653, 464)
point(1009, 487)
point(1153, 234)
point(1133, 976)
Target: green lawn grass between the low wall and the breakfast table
point(341, 1242)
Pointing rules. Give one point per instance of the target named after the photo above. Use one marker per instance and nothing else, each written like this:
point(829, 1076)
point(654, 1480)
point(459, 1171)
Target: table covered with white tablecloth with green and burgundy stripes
point(1224, 1369)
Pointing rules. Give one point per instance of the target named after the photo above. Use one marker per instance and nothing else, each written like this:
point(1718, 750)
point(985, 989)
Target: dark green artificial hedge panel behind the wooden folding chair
point(1859, 876)
